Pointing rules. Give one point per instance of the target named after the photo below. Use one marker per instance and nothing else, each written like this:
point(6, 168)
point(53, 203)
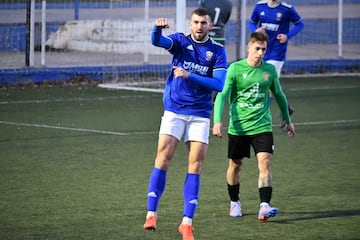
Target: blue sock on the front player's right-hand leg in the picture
point(191, 194)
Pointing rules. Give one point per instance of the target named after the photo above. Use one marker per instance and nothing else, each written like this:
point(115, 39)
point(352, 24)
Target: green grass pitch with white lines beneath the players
point(75, 163)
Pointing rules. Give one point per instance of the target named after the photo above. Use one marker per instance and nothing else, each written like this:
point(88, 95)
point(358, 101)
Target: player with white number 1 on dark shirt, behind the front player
point(220, 12)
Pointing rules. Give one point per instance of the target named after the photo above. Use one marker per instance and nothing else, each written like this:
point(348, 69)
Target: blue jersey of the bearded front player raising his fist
point(184, 96)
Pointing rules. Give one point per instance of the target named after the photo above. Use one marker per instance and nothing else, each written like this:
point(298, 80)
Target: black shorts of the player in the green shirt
point(239, 146)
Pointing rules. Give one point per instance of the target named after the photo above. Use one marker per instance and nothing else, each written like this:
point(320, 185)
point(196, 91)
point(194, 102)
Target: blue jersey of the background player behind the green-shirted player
point(275, 20)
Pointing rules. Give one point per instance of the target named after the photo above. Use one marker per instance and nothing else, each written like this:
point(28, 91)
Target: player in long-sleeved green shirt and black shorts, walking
point(247, 86)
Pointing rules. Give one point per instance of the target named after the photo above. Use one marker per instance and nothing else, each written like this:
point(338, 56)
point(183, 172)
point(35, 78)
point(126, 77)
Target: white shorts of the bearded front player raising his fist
point(193, 128)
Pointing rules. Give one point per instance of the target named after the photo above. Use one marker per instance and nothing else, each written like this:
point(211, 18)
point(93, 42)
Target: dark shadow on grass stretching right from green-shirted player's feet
point(301, 216)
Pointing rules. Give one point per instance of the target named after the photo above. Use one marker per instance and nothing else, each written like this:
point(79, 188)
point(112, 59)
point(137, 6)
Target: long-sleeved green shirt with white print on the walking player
point(247, 90)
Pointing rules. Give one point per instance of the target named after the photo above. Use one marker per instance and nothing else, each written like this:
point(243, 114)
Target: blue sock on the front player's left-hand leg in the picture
point(156, 188)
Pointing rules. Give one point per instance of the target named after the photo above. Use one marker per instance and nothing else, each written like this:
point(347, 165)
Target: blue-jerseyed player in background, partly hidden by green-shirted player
point(274, 18)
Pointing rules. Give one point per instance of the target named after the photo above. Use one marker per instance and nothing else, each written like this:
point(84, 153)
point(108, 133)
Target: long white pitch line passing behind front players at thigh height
point(152, 132)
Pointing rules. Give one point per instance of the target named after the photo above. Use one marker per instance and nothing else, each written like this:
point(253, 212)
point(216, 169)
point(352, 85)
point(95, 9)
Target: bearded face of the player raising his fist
point(200, 26)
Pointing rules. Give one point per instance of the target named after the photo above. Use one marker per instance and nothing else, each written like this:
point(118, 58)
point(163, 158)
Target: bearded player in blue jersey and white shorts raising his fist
point(198, 68)
